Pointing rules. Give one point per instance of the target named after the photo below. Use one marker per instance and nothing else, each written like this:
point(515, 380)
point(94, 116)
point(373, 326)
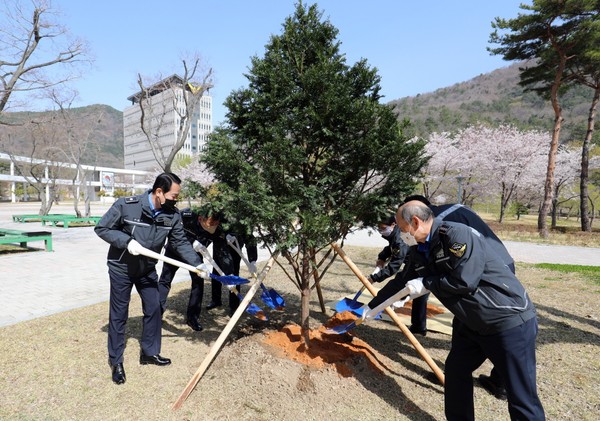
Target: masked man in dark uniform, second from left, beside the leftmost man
point(199, 227)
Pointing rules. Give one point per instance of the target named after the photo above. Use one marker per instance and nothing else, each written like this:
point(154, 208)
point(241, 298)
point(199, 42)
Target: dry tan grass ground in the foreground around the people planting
point(55, 368)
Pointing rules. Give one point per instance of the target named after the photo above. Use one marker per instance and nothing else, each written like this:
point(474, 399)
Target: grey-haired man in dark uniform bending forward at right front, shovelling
point(493, 315)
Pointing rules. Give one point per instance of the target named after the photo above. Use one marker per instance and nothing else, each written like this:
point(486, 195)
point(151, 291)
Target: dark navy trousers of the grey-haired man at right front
point(513, 354)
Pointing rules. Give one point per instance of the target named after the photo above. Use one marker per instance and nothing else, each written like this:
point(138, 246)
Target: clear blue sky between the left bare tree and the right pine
point(417, 46)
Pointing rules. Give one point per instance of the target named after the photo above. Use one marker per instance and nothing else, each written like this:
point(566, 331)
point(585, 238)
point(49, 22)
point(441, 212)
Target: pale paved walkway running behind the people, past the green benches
point(36, 284)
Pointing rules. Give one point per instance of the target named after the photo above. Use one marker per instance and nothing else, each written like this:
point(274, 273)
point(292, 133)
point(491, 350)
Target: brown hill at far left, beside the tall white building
point(102, 123)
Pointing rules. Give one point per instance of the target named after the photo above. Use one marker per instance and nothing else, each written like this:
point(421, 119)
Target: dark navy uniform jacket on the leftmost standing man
point(132, 217)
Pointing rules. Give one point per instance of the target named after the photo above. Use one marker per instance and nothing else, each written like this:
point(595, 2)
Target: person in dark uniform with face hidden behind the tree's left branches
point(229, 261)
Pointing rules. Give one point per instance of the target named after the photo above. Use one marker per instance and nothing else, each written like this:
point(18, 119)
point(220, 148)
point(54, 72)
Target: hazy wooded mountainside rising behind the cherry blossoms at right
point(493, 98)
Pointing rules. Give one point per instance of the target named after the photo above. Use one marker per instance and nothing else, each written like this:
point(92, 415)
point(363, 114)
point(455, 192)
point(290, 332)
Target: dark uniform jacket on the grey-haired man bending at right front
point(469, 278)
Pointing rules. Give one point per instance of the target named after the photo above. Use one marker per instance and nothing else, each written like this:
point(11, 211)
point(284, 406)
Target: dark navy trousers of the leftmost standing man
point(120, 296)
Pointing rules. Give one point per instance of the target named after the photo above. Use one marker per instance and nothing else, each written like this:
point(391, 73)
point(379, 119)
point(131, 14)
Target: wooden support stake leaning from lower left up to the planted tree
point(221, 339)
